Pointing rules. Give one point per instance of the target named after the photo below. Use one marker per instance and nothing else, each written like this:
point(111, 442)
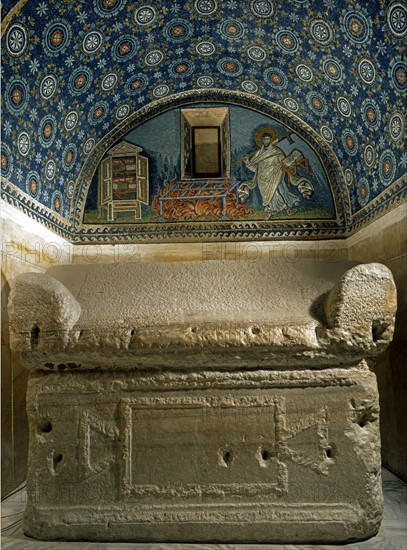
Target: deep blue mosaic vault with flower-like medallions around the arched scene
point(76, 71)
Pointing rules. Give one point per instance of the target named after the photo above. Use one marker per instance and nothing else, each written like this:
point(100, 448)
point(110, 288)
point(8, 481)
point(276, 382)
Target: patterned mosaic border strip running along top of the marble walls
point(392, 197)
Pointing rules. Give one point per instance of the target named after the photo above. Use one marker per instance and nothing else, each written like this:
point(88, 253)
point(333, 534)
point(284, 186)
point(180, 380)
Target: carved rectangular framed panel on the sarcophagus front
point(199, 445)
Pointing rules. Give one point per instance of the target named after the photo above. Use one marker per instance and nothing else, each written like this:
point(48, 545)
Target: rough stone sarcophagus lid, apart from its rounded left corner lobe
point(234, 314)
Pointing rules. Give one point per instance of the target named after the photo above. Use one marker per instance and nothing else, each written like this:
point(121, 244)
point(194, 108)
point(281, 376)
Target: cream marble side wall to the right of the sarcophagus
point(385, 241)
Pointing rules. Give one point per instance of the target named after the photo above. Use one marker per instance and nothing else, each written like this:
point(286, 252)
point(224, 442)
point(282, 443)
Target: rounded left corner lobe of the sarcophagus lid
point(42, 312)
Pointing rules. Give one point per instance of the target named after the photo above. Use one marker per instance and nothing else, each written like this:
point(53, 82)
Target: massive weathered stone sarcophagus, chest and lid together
point(203, 401)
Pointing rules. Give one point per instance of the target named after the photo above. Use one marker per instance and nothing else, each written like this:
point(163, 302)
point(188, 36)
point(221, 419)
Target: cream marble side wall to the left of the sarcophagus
point(26, 247)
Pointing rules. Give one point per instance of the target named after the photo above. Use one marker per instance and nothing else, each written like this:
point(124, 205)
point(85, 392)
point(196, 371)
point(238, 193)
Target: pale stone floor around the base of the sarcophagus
point(392, 534)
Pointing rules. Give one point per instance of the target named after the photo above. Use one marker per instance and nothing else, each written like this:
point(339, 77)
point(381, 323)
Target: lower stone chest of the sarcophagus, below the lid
point(250, 456)
